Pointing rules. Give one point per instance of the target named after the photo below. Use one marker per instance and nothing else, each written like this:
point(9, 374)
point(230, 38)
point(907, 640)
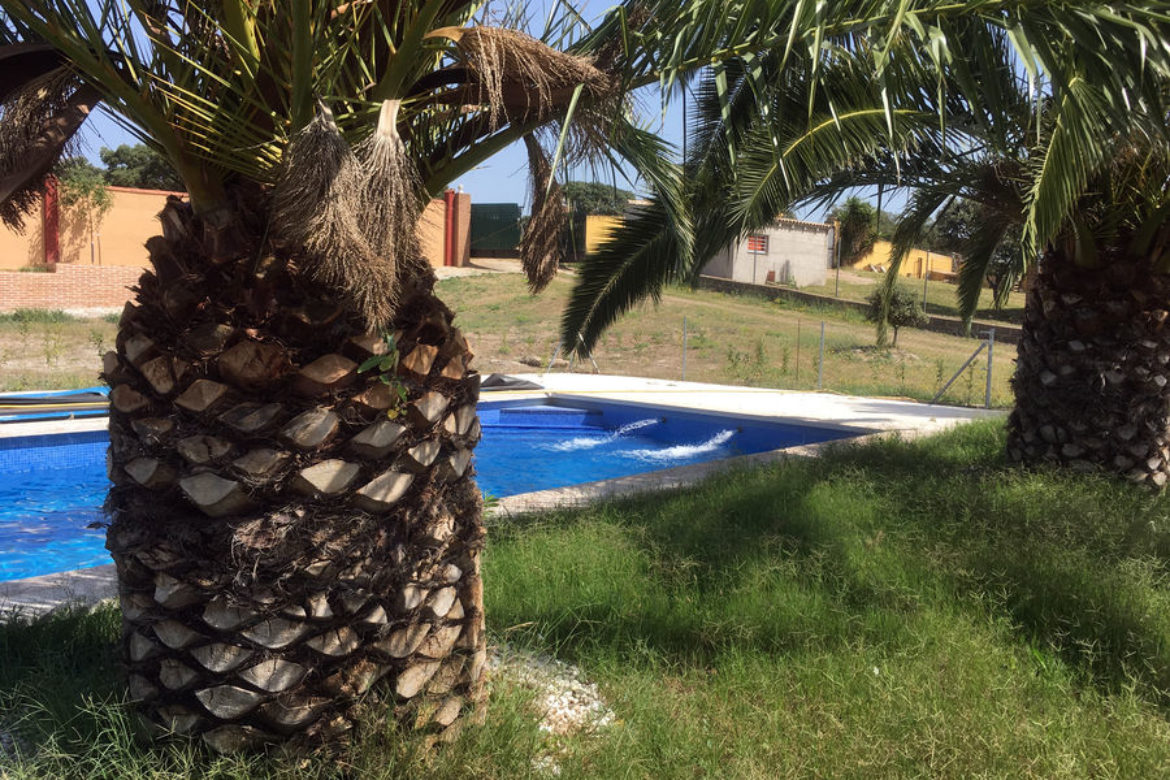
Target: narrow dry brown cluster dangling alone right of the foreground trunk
point(540, 250)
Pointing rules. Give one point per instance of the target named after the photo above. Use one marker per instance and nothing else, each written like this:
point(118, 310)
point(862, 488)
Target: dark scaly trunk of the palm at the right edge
point(1093, 371)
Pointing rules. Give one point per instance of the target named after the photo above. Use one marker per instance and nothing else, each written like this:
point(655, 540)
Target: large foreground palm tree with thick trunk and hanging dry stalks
point(294, 516)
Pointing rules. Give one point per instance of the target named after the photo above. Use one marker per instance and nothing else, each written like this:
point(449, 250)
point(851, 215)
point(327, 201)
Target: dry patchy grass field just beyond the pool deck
point(734, 341)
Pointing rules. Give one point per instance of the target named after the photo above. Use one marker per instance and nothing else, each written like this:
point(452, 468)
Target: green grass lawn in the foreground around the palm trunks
point(889, 610)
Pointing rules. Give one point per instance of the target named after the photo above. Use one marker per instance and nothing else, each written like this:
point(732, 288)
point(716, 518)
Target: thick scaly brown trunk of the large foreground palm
point(292, 537)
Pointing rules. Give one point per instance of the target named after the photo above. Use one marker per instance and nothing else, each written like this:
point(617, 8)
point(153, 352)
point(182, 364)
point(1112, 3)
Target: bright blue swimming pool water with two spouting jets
point(52, 487)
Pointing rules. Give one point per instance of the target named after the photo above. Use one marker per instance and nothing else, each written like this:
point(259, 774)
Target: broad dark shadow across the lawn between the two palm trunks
point(850, 550)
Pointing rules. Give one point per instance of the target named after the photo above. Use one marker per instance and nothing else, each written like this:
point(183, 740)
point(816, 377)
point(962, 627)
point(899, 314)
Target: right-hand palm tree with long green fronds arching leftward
point(1057, 126)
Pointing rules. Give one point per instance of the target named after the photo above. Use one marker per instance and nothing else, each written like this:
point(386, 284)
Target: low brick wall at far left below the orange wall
point(71, 287)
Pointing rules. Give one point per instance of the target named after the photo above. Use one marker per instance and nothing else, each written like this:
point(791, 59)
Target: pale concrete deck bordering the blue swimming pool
point(870, 417)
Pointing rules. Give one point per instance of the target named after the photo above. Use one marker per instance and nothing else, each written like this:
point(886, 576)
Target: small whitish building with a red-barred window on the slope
point(788, 252)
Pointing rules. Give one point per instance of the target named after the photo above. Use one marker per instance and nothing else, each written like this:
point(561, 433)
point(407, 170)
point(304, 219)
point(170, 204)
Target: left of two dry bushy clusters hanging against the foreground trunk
point(316, 209)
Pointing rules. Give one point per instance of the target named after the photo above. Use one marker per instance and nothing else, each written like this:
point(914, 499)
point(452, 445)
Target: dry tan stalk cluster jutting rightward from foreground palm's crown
point(520, 78)
